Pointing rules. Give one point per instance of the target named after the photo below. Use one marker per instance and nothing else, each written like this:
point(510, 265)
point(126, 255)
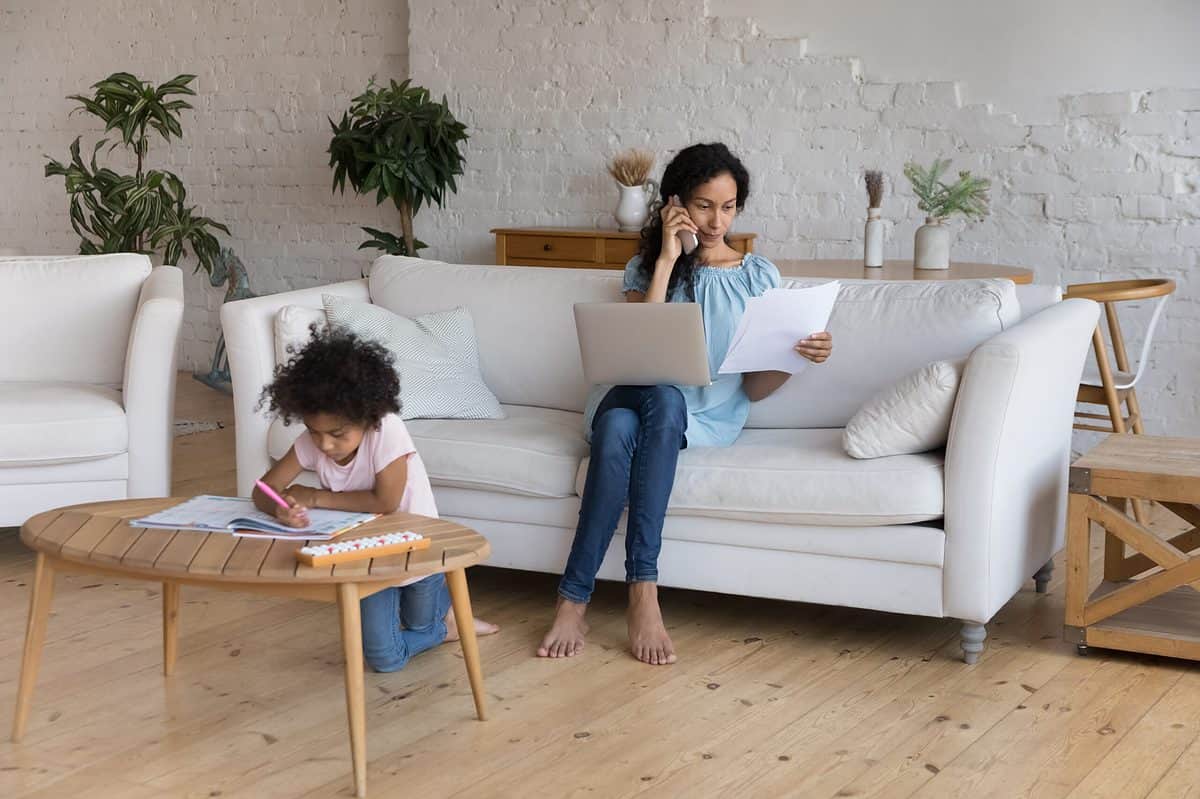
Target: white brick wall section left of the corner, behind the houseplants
point(254, 149)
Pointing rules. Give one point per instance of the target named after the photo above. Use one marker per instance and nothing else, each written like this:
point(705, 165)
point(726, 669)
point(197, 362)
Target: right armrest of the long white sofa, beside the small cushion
point(1007, 458)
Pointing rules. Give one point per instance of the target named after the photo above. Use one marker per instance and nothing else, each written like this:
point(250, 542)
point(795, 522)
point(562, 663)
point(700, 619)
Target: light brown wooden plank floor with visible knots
point(769, 699)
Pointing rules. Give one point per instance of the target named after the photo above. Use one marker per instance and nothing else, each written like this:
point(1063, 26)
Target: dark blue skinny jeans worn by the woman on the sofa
point(637, 437)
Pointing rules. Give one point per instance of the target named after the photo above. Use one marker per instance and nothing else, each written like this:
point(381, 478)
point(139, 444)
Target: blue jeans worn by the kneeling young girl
point(422, 609)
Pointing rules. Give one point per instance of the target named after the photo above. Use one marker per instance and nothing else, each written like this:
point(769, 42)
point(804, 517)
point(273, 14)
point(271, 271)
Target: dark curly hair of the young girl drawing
point(338, 374)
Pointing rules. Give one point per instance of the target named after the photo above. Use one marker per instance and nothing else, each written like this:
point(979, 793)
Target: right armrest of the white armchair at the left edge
point(149, 386)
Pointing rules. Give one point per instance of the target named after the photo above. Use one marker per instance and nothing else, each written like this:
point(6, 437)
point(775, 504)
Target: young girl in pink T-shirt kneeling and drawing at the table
point(345, 391)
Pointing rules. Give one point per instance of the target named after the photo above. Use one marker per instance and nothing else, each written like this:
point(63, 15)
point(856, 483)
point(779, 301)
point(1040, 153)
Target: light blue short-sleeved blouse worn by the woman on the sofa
point(718, 412)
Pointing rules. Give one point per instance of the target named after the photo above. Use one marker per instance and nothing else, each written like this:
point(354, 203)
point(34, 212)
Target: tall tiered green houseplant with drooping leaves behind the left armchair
point(146, 212)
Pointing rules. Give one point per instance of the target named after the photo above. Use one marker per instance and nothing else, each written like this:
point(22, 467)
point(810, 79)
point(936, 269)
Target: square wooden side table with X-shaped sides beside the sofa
point(1150, 600)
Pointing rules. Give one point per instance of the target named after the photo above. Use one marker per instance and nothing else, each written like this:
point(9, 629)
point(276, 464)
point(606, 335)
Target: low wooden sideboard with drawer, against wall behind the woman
point(581, 248)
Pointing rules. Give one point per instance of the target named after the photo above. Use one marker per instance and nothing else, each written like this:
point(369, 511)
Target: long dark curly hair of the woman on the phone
point(692, 169)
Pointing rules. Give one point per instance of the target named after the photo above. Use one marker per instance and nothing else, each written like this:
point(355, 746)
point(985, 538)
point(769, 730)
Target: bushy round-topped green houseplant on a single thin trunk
point(397, 142)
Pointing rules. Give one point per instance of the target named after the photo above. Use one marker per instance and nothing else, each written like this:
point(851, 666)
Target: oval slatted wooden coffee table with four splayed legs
point(98, 539)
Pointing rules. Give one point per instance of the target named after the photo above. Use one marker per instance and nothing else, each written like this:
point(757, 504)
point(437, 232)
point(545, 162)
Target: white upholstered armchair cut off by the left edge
point(87, 380)
